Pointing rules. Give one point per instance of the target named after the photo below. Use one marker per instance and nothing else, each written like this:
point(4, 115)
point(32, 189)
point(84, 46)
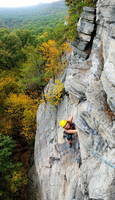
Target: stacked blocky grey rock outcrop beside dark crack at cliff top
point(86, 30)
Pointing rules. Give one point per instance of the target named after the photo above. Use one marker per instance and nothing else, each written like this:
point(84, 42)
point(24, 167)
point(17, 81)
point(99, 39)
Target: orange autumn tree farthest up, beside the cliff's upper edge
point(52, 55)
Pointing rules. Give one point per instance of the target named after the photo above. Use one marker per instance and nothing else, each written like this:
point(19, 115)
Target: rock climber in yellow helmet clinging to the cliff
point(69, 129)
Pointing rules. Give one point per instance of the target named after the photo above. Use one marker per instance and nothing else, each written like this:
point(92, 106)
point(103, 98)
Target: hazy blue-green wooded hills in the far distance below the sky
point(36, 18)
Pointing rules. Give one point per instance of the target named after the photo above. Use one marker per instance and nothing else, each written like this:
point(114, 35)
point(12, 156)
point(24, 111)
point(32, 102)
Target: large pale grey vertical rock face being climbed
point(87, 170)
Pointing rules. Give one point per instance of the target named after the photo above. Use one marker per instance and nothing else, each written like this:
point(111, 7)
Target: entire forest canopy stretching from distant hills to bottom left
point(32, 45)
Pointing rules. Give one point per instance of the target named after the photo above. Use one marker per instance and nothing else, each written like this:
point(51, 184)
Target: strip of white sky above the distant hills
point(22, 3)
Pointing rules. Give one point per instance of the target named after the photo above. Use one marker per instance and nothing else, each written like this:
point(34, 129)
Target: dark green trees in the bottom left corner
point(12, 177)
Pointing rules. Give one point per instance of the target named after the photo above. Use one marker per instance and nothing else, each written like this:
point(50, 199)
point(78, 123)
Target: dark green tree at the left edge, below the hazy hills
point(11, 54)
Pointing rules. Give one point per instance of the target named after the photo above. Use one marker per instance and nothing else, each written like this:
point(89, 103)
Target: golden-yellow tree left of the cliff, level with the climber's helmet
point(22, 111)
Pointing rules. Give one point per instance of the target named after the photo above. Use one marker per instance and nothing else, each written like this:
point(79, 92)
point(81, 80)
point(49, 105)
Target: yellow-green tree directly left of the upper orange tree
point(31, 72)
